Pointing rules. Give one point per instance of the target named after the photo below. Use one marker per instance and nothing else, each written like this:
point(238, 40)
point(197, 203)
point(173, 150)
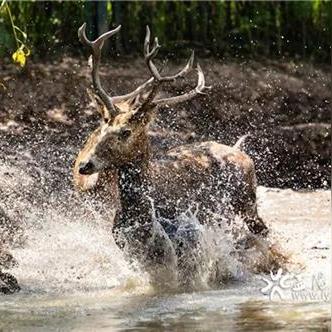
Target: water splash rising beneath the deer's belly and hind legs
point(196, 256)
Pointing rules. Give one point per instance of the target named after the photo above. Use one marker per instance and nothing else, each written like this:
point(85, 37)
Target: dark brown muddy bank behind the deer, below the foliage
point(48, 103)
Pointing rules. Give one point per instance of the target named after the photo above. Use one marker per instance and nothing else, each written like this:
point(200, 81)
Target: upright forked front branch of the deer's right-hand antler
point(150, 55)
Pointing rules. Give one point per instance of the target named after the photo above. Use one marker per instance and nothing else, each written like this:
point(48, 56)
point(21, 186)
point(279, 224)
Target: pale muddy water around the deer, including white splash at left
point(74, 278)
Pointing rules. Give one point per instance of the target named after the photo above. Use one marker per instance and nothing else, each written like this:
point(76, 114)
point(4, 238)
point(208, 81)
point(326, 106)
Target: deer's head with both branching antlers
point(122, 135)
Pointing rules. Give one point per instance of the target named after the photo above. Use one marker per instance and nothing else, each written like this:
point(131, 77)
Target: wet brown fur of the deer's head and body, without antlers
point(219, 179)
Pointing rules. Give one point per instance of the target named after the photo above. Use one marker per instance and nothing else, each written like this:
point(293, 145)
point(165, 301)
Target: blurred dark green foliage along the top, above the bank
point(298, 29)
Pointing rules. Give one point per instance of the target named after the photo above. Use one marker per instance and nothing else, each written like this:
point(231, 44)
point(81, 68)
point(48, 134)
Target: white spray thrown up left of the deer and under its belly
point(65, 242)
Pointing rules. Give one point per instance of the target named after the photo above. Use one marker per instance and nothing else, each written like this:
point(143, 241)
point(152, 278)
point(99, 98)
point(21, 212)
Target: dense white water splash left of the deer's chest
point(71, 255)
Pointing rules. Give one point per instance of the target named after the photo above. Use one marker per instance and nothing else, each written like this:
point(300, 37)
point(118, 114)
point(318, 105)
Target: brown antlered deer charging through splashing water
point(116, 161)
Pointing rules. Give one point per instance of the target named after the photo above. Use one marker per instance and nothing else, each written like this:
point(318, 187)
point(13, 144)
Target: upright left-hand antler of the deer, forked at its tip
point(96, 47)
